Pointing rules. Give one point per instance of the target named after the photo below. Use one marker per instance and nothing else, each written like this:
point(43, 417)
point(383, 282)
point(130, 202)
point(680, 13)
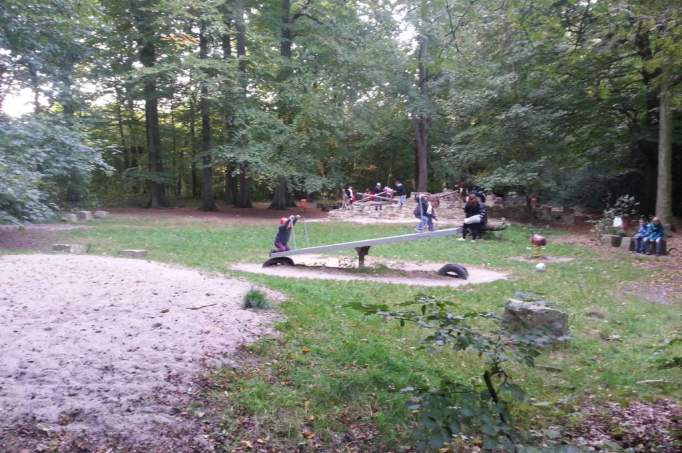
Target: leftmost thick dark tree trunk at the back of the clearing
point(151, 114)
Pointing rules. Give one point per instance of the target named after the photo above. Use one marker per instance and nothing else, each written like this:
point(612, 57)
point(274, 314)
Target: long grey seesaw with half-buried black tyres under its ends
point(362, 249)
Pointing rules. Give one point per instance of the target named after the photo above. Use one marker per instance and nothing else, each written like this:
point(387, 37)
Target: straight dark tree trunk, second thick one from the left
point(207, 198)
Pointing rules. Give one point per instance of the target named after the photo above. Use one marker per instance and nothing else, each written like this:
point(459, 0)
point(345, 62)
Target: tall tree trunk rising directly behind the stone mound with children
point(422, 119)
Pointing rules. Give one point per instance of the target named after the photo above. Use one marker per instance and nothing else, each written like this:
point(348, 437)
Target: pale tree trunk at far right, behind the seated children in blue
point(664, 205)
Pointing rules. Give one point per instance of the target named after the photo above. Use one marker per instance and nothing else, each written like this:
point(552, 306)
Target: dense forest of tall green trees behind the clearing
point(159, 102)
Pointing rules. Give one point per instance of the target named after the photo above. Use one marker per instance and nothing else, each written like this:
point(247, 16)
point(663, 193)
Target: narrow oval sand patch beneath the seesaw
point(378, 270)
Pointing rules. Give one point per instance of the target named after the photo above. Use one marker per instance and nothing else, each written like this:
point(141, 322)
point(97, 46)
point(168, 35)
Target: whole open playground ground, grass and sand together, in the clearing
point(170, 345)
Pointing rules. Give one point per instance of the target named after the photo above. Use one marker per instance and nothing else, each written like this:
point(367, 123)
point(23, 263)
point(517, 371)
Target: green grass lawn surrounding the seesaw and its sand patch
point(334, 371)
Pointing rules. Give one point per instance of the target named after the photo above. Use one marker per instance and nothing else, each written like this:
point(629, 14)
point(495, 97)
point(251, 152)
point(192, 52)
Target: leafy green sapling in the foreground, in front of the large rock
point(458, 408)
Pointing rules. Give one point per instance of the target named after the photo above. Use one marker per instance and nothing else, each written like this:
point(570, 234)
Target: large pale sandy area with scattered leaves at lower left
point(98, 345)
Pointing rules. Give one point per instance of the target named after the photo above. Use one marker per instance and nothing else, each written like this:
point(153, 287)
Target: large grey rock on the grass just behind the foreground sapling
point(535, 318)
